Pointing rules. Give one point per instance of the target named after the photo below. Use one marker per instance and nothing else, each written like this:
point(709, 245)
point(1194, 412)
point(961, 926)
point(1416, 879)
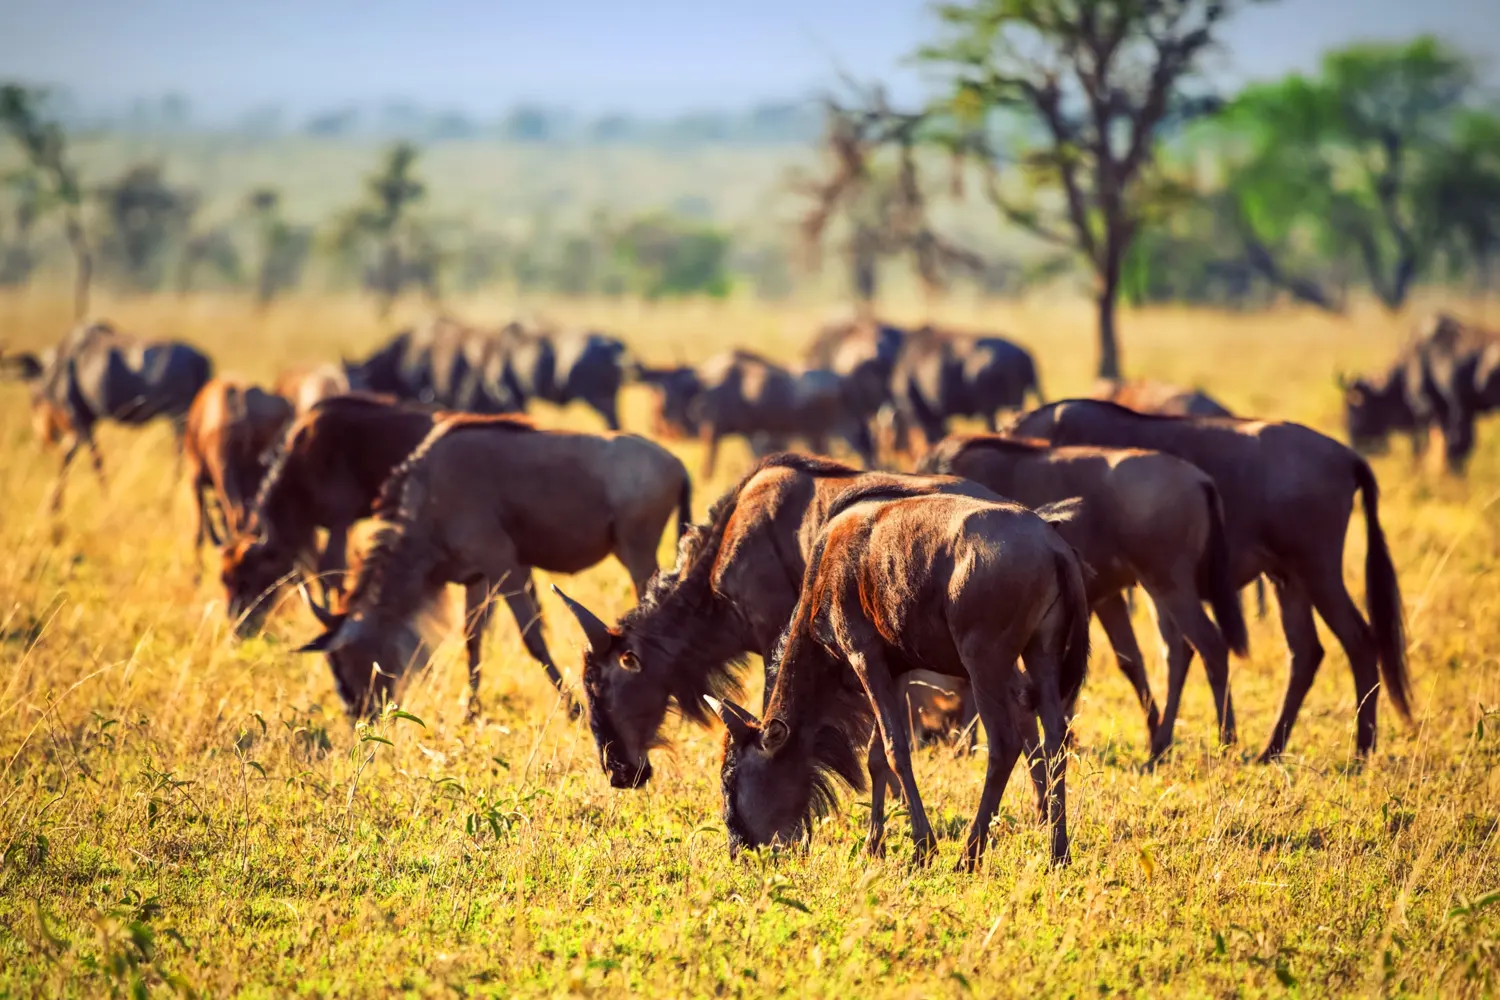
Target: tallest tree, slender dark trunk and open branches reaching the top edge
point(1093, 86)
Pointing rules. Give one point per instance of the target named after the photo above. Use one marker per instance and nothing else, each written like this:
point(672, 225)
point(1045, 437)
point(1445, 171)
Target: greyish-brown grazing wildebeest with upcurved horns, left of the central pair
point(482, 503)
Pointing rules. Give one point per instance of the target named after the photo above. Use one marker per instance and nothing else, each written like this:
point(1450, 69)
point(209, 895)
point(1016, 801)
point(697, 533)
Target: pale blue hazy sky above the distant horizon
point(652, 56)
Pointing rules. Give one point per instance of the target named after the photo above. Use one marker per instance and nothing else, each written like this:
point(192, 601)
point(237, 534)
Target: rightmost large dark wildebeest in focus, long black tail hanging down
point(1288, 497)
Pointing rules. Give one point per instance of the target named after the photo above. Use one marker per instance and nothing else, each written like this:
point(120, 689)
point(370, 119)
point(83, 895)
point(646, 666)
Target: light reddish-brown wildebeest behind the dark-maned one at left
point(230, 431)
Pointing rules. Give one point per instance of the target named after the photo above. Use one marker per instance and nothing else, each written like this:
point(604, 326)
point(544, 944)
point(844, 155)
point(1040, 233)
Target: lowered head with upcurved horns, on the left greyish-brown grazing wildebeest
point(367, 656)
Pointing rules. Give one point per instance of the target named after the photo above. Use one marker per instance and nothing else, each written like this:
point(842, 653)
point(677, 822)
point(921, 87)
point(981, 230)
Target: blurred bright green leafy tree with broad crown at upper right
point(1379, 164)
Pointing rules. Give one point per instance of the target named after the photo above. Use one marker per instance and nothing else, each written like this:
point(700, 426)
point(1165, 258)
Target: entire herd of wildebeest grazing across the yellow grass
point(884, 605)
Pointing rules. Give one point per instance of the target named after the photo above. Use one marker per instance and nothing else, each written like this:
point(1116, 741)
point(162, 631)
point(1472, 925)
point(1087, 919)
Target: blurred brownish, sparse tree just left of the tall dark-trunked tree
point(872, 190)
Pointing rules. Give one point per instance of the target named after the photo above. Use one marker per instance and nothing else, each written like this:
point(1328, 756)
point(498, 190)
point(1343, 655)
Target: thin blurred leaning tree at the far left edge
point(46, 151)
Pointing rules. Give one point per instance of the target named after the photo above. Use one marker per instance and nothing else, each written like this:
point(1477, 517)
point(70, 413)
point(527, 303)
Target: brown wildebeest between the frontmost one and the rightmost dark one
point(1147, 519)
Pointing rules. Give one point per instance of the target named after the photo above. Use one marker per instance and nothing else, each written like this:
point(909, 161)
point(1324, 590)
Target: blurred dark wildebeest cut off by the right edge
point(1444, 379)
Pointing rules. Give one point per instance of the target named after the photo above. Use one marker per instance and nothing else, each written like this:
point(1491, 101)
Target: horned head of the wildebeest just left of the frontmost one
point(628, 702)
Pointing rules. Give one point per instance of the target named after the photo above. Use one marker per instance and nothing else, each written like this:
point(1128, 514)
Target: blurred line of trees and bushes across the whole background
point(1093, 133)
